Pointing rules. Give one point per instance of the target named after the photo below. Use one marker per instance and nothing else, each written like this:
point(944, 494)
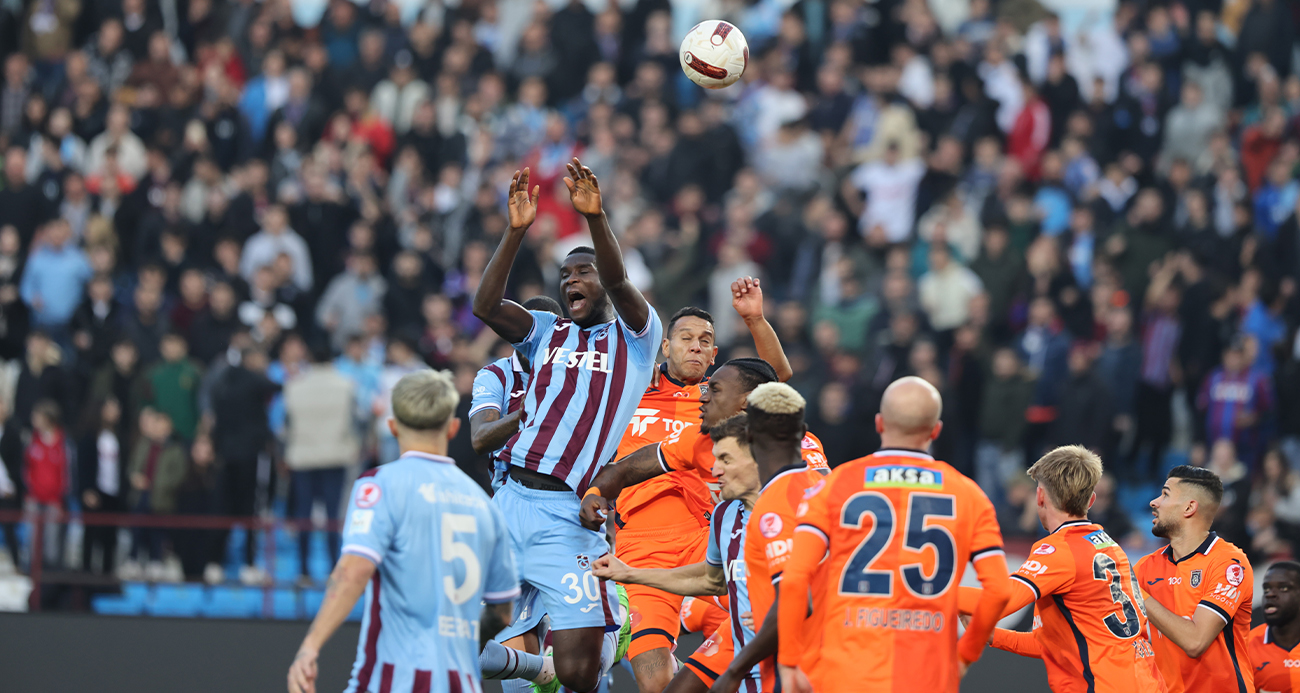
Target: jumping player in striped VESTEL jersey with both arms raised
point(588, 375)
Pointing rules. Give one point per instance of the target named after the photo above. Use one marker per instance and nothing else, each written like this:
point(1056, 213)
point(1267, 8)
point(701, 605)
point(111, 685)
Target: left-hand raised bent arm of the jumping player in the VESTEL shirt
point(506, 318)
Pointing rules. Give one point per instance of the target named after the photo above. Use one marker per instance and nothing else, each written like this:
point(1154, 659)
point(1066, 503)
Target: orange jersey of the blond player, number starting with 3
point(1089, 622)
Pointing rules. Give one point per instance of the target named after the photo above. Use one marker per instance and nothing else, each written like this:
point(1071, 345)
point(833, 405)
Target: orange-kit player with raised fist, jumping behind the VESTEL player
point(664, 522)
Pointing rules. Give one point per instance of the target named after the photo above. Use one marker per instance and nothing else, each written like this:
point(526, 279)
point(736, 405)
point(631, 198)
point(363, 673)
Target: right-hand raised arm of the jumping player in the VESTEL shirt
point(586, 196)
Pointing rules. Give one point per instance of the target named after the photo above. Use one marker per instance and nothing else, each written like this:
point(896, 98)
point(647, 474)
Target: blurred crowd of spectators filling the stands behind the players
point(229, 227)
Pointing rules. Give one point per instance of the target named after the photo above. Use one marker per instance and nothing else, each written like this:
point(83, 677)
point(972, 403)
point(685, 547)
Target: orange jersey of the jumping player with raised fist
point(666, 412)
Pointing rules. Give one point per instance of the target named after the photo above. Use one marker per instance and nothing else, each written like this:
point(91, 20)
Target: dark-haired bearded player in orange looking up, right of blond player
point(1198, 591)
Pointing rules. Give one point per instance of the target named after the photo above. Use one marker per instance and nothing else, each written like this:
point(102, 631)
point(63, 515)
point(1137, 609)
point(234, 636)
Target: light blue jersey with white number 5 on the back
point(441, 551)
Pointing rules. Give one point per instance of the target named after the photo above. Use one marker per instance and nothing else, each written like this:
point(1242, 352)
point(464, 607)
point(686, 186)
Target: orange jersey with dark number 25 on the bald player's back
point(898, 530)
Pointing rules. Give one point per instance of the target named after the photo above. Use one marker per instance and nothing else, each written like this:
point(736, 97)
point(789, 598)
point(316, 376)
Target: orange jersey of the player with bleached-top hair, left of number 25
point(769, 540)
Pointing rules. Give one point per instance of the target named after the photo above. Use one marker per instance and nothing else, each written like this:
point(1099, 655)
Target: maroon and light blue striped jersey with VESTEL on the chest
point(583, 392)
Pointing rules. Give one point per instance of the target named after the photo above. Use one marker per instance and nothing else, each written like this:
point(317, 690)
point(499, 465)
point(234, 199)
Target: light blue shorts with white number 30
point(554, 555)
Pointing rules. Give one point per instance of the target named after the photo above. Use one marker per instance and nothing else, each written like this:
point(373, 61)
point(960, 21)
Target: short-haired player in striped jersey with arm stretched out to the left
point(722, 571)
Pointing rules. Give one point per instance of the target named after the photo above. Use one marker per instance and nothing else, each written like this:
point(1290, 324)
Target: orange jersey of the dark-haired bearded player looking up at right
point(1217, 578)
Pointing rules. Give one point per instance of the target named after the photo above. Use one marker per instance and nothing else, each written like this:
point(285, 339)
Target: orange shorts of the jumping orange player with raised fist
point(656, 614)
